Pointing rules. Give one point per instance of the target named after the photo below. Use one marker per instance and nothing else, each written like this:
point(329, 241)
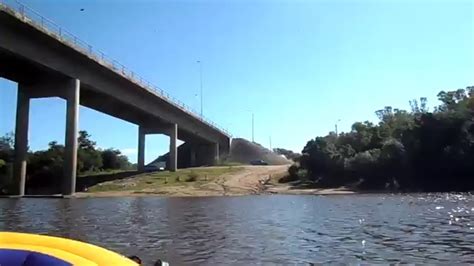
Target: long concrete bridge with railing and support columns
point(47, 61)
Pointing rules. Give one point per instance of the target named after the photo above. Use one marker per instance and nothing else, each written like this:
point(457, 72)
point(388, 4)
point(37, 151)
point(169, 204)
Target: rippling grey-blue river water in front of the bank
point(375, 228)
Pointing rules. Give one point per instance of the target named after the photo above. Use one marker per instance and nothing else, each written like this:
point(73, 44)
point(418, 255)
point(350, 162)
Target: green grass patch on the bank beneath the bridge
point(150, 181)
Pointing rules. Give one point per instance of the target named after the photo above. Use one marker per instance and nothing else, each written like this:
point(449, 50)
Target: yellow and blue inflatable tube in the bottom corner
point(20, 249)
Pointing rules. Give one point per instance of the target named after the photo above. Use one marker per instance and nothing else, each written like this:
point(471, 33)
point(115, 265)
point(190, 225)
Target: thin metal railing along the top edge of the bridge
point(49, 27)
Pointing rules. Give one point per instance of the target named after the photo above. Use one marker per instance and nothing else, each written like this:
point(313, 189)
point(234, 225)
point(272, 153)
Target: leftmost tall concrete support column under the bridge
point(21, 139)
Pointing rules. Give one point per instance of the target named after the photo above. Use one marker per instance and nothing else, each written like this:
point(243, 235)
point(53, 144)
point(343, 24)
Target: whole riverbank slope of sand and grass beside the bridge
point(205, 181)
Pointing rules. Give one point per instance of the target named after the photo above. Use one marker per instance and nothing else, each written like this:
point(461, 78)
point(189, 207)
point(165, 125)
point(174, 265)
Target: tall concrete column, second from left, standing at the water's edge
point(70, 152)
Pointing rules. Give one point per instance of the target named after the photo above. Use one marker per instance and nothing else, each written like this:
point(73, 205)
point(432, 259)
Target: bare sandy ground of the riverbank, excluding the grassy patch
point(248, 180)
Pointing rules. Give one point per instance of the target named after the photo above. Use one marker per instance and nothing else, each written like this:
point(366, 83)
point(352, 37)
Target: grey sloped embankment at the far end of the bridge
point(244, 151)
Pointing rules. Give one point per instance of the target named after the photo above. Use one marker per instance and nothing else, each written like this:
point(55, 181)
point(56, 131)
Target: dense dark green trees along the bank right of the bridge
point(416, 150)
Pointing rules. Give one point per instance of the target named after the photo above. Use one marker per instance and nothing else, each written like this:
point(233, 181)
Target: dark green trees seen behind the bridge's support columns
point(45, 167)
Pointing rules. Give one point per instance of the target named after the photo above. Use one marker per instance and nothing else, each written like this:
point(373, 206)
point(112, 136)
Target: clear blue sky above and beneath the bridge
point(299, 66)
